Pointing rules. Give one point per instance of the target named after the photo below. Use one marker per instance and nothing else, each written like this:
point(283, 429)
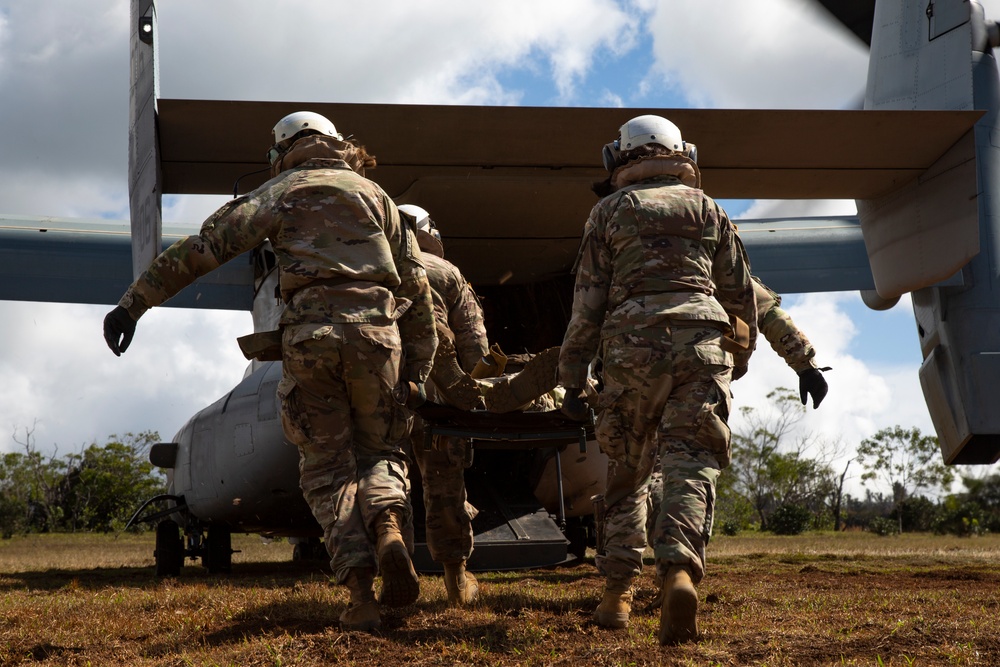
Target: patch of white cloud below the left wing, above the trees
point(62, 380)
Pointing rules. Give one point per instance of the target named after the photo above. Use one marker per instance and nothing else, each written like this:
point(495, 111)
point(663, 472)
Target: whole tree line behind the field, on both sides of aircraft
point(780, 481)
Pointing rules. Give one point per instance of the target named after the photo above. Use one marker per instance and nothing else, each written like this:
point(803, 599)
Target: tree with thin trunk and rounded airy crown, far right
point(907, 461)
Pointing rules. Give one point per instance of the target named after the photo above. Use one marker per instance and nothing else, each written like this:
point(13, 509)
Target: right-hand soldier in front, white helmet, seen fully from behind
point(663, 293)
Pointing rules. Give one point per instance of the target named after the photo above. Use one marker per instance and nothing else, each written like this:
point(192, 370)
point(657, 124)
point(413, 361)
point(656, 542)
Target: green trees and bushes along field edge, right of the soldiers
point(784, 481)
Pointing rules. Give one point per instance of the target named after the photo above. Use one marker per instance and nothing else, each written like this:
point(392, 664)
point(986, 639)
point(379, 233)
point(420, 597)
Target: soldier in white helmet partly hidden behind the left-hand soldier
point(462, 334)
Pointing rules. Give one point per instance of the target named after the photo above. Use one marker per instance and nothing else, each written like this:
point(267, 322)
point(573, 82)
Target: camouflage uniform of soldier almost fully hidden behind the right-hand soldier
point(777, 327)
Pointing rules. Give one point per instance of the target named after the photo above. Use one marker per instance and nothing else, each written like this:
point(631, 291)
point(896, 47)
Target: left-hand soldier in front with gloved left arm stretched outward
point(349, 271)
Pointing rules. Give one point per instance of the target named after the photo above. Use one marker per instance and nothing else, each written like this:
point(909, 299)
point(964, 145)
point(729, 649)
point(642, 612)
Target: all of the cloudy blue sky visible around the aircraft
point(64, 81)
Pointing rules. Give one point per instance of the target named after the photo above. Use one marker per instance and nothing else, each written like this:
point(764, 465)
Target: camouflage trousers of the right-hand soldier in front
point(666, 397)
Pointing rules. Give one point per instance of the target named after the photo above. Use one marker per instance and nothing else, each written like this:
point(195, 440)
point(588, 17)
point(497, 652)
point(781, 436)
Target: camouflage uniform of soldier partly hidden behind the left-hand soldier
point(442, 467)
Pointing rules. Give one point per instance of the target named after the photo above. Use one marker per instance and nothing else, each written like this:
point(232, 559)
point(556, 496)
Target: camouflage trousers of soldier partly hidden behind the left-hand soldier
point(448, 513)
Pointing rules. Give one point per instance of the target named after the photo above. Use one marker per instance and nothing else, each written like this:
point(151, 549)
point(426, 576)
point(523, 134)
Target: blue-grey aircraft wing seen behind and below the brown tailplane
point(89, 261)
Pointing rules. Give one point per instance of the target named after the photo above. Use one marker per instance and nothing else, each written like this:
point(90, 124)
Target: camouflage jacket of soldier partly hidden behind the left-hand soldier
point(457, 308)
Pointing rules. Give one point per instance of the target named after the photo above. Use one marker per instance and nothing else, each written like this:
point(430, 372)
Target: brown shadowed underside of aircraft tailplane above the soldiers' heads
point(509, 187)
